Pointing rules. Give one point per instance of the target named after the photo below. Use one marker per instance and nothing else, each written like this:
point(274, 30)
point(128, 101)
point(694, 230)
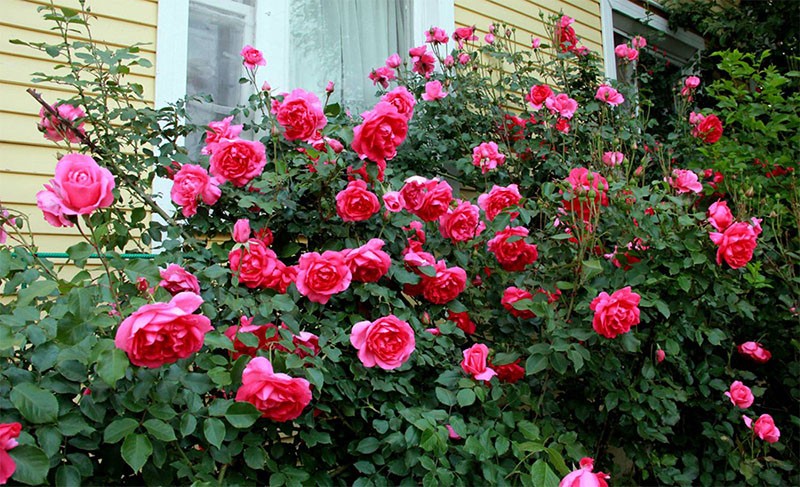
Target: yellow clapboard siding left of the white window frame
point(27, 160)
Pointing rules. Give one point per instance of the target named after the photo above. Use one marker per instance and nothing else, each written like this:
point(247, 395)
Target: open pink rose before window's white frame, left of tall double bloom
point(300, 114)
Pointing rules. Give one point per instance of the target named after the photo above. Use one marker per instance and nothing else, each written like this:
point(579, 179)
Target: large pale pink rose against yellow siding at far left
point(80, 187)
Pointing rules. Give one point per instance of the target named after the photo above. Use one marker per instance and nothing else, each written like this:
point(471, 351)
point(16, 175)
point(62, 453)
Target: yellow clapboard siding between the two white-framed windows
point(524, 16)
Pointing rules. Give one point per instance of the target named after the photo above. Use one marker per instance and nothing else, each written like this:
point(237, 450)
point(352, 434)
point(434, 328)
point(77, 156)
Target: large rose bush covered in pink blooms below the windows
point(501, 326)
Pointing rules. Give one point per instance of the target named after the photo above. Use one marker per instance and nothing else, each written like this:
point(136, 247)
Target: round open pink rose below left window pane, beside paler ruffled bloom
point(238, 161)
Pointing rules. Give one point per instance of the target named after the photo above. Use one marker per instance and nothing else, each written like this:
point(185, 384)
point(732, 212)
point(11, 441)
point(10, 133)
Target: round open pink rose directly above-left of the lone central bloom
point(321, 276)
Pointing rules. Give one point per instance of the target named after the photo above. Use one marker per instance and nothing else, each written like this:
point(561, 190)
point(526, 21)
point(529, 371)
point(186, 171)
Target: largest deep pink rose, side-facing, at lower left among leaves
point(162, 333)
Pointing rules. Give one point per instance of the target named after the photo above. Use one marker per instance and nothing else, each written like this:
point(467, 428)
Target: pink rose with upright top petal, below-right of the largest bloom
point(279, 397)
